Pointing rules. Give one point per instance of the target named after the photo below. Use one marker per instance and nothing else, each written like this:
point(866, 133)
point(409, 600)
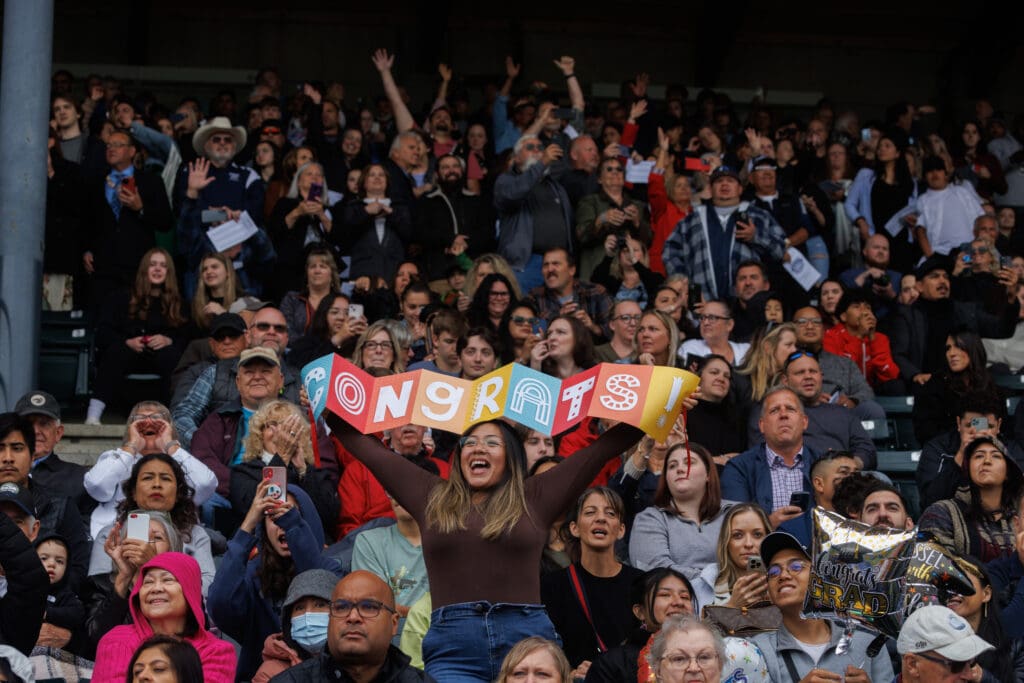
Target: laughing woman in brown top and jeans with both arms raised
point(484, 533)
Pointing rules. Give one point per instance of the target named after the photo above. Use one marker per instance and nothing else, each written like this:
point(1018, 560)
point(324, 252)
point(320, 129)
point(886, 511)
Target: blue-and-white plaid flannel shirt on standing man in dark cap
point(688, 252)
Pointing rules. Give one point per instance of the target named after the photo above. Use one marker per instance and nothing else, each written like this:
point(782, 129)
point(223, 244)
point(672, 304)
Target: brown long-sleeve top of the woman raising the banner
point(462, 567)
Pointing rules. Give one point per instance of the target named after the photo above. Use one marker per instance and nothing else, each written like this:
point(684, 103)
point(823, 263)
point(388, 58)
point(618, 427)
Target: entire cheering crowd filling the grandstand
point(807, 269)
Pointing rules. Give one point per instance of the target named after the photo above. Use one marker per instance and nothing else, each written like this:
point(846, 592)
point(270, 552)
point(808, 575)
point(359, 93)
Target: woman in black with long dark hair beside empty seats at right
point(966, 371)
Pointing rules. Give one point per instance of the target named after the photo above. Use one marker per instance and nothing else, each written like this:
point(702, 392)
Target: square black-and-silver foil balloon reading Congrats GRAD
point(859, 573)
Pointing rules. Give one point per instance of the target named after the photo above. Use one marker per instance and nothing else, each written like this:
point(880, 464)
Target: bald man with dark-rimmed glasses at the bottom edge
point(363, 622)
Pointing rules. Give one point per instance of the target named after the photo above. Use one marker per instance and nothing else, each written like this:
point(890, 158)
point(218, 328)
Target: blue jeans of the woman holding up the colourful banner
point(467, 642)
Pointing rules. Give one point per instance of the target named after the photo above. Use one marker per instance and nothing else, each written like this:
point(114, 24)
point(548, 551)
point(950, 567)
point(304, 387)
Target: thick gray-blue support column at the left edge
point(25, 86)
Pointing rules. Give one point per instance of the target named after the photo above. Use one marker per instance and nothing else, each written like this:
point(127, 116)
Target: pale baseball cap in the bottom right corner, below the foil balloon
point(941, 630)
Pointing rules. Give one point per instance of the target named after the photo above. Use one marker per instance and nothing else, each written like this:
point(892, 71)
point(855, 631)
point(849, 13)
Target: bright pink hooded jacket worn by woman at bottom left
point(116, 649)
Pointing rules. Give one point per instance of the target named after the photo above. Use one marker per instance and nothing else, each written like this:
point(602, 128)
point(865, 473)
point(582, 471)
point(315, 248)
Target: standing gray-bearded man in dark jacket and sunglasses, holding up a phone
point(534, 211)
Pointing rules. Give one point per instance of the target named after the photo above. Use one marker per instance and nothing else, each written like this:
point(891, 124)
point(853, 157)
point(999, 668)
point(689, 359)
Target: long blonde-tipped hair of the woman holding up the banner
point(451, 501)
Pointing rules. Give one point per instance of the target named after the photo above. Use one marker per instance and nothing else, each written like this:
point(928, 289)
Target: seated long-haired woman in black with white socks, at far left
point(140, 331)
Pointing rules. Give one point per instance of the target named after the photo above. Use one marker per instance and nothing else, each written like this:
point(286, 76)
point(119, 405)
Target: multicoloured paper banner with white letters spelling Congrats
point(648, 397)
